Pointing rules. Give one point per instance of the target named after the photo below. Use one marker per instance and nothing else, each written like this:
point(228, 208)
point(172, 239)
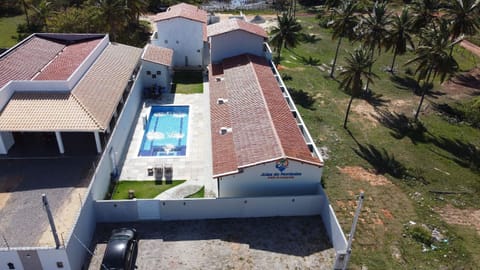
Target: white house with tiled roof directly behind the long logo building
point(235, 37)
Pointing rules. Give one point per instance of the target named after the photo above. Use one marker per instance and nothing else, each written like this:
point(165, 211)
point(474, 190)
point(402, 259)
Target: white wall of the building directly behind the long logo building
point(235, 43)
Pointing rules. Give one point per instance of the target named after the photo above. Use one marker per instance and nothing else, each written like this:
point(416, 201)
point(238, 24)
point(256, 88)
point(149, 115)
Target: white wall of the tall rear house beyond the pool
point(183, 36)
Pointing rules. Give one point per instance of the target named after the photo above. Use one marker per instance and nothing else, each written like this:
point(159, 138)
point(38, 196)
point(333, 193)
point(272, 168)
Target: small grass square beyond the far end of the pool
point(187, 82)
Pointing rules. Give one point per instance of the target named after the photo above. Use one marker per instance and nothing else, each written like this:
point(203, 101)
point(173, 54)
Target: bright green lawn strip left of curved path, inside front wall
point(143, 189)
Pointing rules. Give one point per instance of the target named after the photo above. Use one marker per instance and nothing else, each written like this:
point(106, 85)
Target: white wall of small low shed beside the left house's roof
point(163, 79)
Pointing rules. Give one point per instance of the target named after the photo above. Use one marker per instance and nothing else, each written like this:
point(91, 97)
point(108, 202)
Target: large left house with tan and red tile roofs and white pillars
point(71, 83)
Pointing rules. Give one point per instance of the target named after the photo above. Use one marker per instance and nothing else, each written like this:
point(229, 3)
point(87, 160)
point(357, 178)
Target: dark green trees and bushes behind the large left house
point(119, 18)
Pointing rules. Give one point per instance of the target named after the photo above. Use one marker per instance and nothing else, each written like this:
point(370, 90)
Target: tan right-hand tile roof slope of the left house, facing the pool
point(101, 89)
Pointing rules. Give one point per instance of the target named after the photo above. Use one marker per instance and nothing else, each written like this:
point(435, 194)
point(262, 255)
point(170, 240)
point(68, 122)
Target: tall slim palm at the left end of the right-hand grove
point(343, 22)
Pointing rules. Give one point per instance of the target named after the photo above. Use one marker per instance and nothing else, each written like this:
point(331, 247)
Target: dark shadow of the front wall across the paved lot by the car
point(297, 236)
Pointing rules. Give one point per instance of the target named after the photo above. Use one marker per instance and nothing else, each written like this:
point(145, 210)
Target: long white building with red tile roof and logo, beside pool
point(258, 148)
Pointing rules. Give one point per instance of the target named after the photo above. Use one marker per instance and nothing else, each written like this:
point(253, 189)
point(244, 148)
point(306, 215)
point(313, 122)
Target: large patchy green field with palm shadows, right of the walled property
point(418, 159)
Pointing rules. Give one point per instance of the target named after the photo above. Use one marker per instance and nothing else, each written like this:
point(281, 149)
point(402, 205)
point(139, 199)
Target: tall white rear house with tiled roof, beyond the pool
point(182, 28)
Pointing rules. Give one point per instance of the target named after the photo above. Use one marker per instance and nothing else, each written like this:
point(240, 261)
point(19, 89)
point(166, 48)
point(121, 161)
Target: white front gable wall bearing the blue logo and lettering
point(266, 180)
